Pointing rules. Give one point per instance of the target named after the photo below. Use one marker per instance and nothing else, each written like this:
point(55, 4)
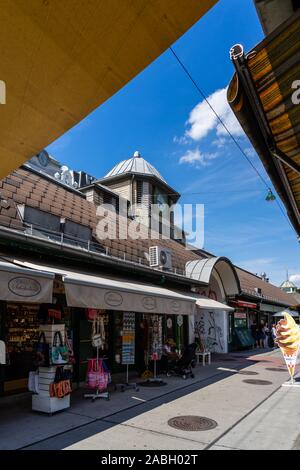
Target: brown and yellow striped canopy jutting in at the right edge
point(268, 114)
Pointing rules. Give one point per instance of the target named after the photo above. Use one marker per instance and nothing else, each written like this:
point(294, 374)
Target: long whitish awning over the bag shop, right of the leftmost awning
point(97, 291)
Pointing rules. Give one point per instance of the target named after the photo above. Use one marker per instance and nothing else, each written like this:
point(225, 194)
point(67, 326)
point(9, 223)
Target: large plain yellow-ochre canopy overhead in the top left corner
point(62, 59)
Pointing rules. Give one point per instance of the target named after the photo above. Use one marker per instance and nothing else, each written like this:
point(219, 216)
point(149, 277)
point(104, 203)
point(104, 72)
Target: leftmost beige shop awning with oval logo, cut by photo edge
point(19, 284)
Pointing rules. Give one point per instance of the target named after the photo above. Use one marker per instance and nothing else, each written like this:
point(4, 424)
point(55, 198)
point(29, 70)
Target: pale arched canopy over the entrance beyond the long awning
point(202, 270)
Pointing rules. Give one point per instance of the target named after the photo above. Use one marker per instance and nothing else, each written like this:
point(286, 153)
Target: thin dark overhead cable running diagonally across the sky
point(227, 130)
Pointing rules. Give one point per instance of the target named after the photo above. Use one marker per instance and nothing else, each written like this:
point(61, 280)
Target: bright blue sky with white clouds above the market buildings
point(161, 114)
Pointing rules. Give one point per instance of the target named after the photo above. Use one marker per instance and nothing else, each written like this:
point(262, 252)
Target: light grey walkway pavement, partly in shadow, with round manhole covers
point(249, 415)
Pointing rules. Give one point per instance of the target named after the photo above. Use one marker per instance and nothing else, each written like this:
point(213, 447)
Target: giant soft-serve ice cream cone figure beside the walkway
point(288, 339)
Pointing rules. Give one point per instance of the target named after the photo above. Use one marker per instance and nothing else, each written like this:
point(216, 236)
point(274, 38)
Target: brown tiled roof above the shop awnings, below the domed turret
point(34, 190)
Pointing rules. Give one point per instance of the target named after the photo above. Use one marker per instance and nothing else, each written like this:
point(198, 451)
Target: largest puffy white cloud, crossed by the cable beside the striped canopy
point(202, 119)
